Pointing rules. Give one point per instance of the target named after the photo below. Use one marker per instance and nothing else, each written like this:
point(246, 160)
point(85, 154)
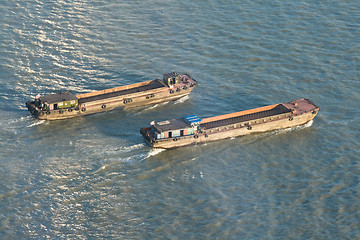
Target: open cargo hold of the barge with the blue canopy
point(279, 109)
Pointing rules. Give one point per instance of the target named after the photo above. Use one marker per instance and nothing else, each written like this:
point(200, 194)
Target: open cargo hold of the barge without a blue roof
point(152, 85)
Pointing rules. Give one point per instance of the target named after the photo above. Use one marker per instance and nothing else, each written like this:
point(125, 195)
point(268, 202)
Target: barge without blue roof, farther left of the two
point(68, 105)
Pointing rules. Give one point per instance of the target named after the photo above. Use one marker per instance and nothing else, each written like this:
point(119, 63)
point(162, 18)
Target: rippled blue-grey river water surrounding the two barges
point(94, 177)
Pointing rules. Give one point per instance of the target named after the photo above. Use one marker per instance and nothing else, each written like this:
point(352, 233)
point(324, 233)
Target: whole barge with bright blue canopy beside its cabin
point(193, 130)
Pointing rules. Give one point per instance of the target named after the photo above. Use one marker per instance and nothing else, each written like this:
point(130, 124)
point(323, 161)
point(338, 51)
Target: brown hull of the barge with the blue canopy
point(258, 125)
